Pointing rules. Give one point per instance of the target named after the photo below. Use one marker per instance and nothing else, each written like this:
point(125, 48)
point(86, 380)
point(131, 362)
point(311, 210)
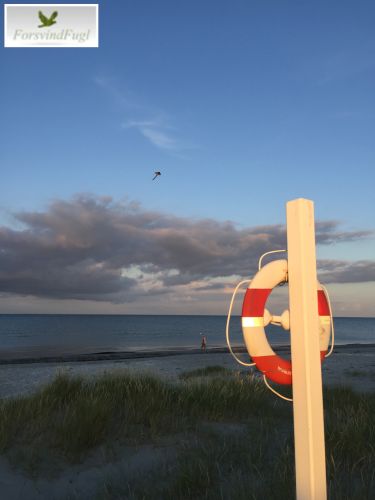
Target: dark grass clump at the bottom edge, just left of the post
point(213, 467)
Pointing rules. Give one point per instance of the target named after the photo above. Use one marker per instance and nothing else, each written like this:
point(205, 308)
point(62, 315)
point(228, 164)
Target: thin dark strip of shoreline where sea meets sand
point(155, 353)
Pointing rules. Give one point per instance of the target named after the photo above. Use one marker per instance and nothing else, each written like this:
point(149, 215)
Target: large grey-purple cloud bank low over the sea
point(93, 248)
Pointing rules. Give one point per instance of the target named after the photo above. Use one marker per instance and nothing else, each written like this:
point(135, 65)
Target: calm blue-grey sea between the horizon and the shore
point(48, 335)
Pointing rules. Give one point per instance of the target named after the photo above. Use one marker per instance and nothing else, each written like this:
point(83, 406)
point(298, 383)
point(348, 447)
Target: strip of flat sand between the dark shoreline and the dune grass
point(352, 365)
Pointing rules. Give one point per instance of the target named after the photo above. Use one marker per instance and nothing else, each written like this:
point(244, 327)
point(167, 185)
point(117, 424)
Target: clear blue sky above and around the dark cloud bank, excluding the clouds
point(241, 105)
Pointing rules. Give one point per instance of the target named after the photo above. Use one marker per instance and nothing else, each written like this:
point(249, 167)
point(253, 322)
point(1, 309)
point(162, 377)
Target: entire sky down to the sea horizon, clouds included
point(241, 105)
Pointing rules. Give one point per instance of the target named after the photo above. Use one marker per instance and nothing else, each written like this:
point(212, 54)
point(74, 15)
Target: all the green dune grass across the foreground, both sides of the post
point(229, 436)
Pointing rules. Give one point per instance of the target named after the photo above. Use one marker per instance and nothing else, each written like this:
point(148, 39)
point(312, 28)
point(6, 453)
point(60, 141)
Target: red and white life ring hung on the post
point(255, 317)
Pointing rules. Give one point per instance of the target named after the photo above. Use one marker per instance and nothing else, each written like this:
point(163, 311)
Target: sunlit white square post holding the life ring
point(306, 366)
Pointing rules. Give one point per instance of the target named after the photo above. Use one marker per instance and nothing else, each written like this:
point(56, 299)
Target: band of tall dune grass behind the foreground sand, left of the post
point(75, 415)
